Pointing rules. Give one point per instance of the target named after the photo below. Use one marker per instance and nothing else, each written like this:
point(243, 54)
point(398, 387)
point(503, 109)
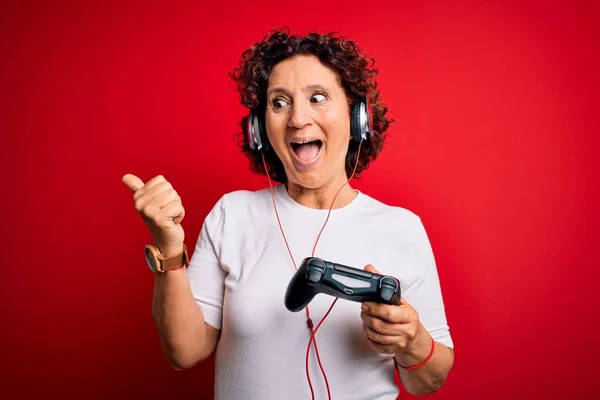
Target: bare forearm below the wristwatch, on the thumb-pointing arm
point(179, 319)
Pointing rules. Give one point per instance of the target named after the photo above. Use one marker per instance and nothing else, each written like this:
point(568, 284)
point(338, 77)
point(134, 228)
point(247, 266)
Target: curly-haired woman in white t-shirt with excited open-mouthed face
point(308, 132)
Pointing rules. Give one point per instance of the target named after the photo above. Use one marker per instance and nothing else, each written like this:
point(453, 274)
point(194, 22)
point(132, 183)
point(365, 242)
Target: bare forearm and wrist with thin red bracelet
point(431, 376)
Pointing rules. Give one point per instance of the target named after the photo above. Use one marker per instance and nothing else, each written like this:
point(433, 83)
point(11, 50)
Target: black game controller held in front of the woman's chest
point(316, 276)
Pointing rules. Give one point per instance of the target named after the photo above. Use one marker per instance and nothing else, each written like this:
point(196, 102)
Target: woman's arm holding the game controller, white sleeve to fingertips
point(407, 330)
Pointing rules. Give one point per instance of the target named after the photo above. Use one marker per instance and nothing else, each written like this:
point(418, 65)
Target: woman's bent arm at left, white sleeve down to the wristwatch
point(187, 303)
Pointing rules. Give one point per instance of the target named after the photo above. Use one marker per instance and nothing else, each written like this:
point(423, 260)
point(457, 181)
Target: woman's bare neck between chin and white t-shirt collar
point(321, 198)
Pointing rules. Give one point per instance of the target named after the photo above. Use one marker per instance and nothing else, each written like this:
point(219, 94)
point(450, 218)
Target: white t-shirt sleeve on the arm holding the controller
point(424, 292)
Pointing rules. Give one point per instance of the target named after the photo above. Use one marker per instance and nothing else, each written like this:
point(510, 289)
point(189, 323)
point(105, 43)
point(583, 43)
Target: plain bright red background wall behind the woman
point(494, 147)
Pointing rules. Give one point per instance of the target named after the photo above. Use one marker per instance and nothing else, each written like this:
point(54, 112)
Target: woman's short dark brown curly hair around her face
point(356, 73)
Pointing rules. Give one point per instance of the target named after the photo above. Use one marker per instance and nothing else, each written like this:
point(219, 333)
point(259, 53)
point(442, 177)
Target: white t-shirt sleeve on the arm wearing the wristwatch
point(205, 273)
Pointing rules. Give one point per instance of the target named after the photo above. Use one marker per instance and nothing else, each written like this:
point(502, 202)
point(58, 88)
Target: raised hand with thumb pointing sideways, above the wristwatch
point(161, 208)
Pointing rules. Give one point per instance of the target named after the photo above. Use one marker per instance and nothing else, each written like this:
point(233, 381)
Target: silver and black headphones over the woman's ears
point(361, 126)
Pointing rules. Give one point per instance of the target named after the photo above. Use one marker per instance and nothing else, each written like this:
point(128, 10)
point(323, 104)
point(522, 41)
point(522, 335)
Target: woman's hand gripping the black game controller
point(391, 329)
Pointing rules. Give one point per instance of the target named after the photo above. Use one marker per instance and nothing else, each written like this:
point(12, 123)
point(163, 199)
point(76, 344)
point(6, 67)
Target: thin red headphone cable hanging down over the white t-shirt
point(312, 339)
